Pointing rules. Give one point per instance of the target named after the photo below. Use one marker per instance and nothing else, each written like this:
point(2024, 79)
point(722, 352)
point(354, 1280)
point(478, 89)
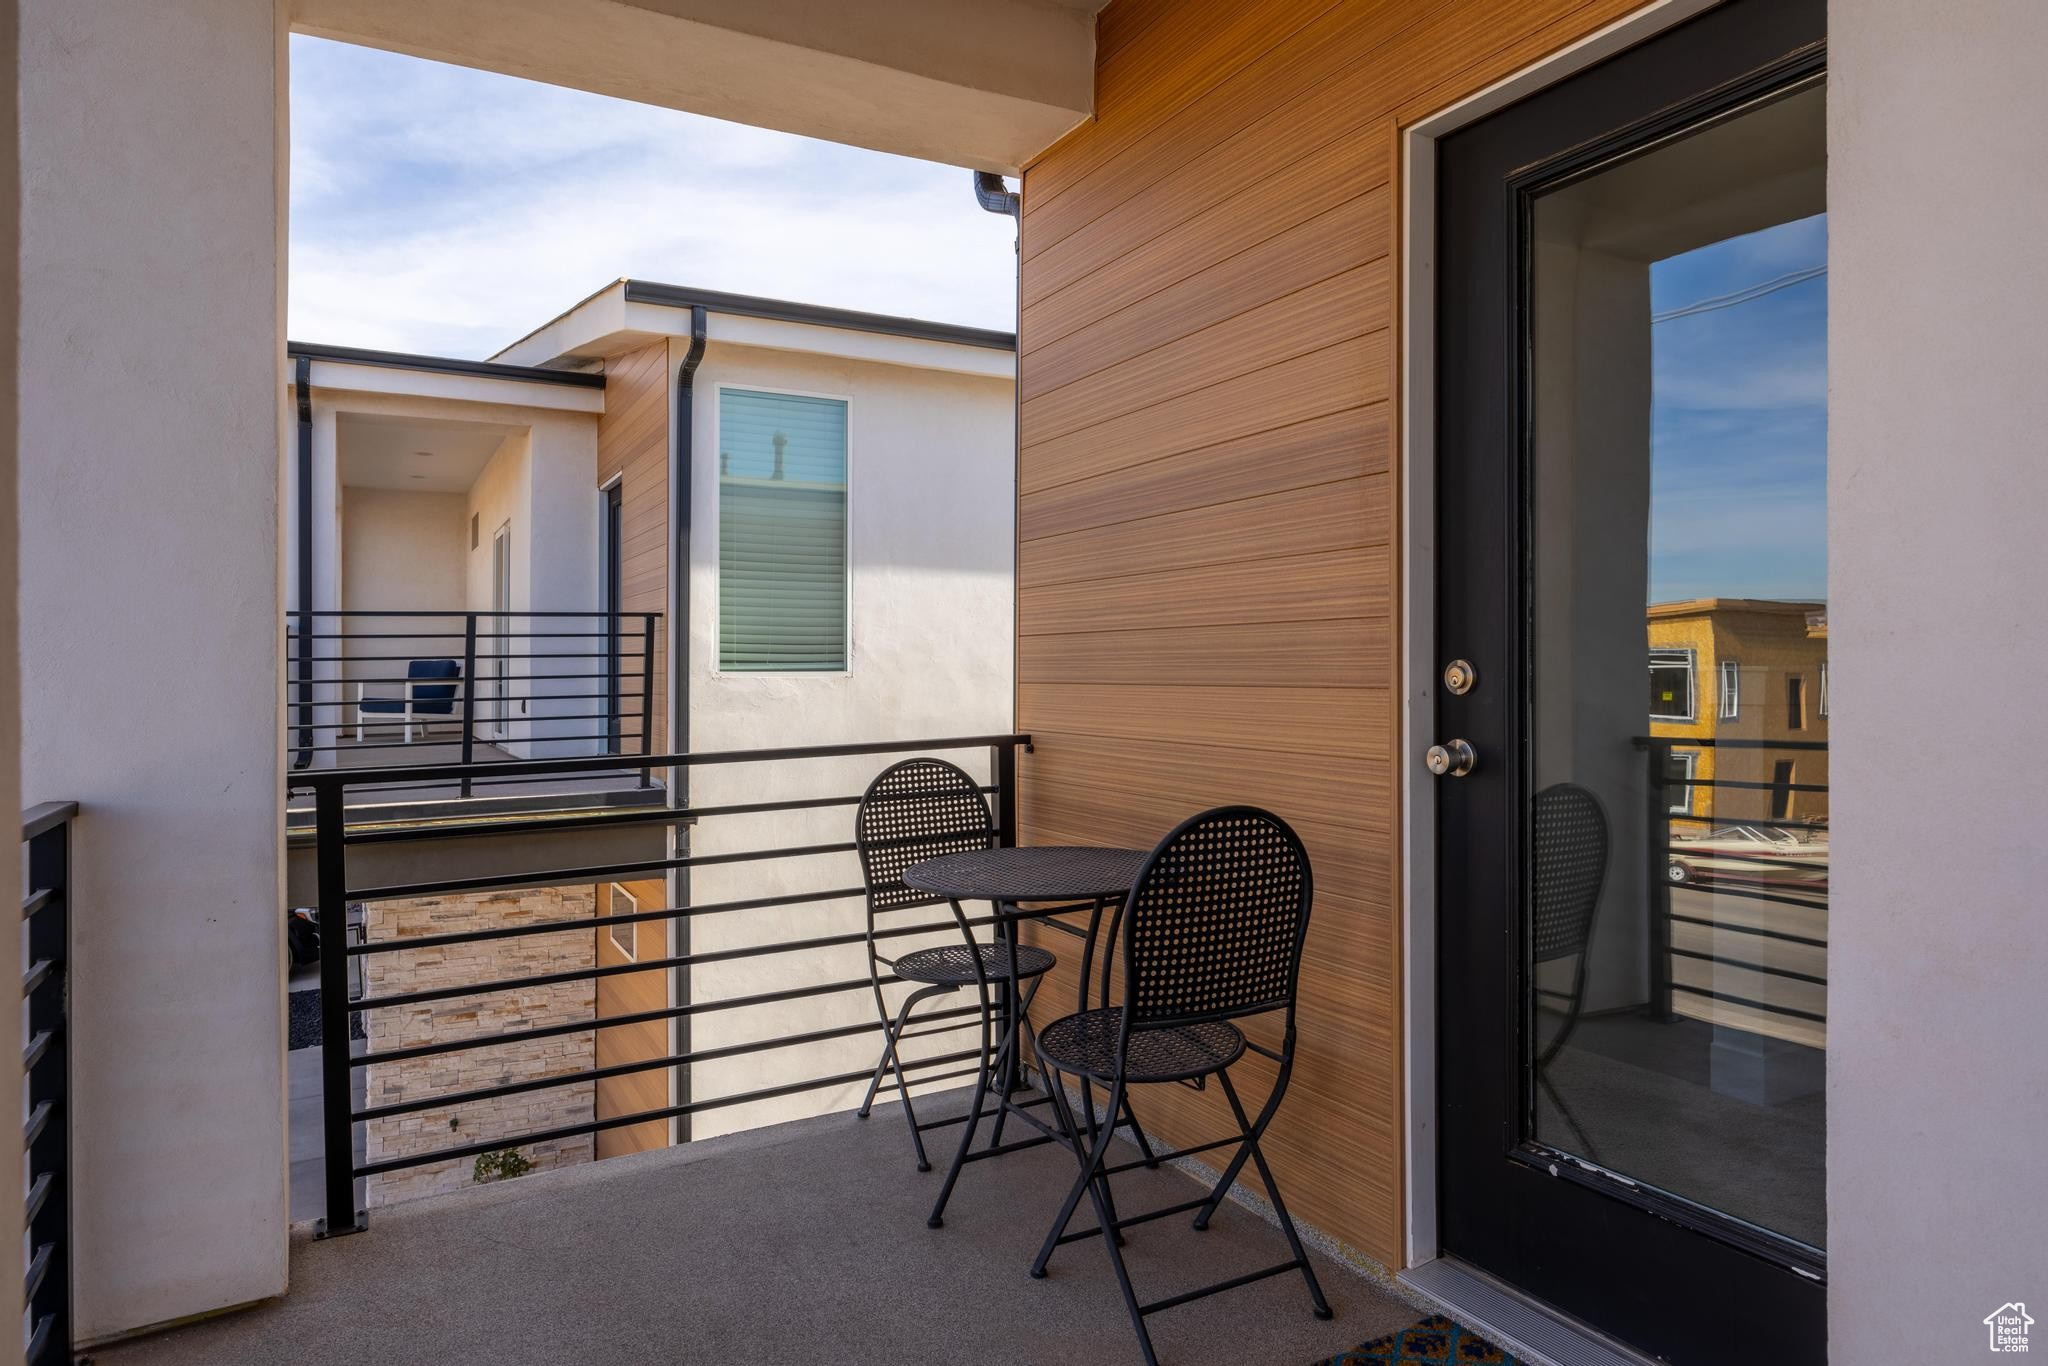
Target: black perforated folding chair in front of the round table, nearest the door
point(1211, 935)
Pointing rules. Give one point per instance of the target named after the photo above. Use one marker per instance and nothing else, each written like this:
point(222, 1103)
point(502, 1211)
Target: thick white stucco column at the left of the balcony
point(151, 624)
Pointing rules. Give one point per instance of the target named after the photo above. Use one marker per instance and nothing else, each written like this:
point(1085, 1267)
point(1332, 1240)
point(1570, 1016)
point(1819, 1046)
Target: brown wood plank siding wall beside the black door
point(1207, 493)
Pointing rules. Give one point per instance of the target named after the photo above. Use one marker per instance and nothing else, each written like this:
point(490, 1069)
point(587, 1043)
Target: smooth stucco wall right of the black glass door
point(1936, 413)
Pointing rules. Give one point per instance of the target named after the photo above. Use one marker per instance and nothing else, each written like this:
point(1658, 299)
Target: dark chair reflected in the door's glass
point(1568, 871)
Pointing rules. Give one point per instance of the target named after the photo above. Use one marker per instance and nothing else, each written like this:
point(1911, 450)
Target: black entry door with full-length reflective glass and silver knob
point(1633, 577)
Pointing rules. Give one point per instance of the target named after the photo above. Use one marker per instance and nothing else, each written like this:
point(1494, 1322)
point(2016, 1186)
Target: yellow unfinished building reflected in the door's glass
point(1754, 673)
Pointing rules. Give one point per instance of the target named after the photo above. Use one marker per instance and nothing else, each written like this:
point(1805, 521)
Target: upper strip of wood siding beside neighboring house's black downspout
point(634, 447)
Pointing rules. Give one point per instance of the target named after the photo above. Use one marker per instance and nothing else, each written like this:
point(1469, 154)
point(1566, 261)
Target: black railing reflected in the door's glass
point(1773, 880)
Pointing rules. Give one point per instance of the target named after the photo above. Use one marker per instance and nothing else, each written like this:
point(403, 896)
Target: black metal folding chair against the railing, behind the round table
point(914, 812)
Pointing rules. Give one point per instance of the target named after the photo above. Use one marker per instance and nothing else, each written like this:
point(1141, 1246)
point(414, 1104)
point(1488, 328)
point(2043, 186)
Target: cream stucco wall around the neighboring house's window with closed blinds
point(931, 529)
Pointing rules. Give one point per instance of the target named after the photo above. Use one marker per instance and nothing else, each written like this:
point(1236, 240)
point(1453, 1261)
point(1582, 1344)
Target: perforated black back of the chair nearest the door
point(1215, 923)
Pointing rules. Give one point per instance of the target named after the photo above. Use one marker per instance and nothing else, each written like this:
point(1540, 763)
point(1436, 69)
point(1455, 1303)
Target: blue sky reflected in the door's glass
point(1740, 421)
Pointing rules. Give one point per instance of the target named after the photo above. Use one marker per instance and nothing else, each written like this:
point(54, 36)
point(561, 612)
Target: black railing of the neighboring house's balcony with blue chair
point(550, 683)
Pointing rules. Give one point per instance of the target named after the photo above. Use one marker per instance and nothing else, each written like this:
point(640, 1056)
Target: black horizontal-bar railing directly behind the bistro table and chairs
point(337, 894)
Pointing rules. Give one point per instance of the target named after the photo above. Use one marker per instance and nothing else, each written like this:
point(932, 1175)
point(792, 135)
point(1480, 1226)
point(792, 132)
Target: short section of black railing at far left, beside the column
point(46, 910)
